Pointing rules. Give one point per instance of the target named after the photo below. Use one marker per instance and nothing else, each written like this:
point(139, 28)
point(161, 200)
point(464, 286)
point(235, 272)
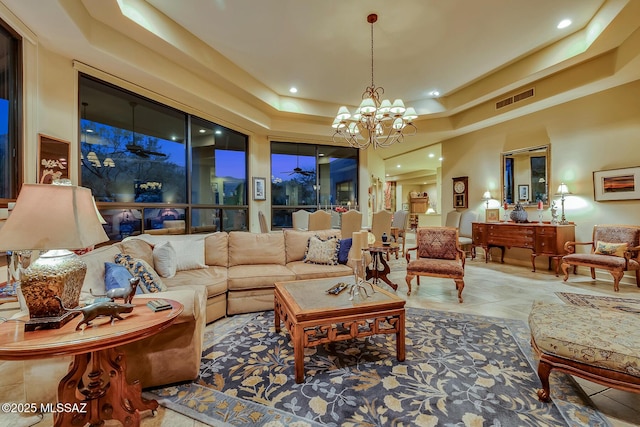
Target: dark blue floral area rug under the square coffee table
point(460, 370)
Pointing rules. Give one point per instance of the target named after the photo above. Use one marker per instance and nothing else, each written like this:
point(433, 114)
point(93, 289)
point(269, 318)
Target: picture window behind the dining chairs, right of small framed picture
point(311, 177)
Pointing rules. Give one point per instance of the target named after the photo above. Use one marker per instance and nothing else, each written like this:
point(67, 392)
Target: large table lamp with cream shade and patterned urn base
point(55, 219)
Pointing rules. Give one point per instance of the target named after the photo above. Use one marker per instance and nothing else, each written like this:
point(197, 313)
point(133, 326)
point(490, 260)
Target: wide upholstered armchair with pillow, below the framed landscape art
point(613, 247)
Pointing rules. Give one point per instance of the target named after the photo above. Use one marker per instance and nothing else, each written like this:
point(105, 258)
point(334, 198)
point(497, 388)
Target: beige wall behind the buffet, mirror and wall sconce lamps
point(598, 132)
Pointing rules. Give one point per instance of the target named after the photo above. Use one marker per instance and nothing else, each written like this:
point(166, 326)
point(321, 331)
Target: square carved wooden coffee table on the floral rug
point(314, 317)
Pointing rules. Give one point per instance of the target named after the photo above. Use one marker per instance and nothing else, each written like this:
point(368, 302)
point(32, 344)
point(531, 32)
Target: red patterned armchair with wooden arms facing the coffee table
point(438, 254)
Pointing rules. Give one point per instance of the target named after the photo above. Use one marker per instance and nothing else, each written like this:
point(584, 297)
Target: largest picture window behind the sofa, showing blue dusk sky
point(155, 169)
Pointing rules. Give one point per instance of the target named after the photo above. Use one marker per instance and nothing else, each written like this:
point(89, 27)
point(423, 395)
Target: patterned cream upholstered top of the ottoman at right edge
point(600, 337)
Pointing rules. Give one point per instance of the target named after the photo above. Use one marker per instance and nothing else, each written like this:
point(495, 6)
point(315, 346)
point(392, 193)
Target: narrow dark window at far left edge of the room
point(10, 107)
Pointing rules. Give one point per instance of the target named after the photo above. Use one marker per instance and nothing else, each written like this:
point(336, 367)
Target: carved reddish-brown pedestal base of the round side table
point(107, 395)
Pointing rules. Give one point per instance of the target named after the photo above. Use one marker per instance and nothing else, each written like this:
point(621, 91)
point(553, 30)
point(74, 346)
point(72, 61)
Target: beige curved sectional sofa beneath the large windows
point(232, 273)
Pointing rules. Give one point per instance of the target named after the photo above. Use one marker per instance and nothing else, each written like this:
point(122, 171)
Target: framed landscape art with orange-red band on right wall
point(616, 184)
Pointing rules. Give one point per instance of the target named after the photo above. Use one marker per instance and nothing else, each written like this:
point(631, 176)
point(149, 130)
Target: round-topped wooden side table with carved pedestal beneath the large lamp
point(96, 387)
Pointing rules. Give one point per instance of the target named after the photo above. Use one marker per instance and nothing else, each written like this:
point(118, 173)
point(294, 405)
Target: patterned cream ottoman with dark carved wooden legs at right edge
point(602, 346)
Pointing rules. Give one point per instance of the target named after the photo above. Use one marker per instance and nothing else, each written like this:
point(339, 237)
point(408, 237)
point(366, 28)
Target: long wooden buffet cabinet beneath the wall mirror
point(541, 238)
